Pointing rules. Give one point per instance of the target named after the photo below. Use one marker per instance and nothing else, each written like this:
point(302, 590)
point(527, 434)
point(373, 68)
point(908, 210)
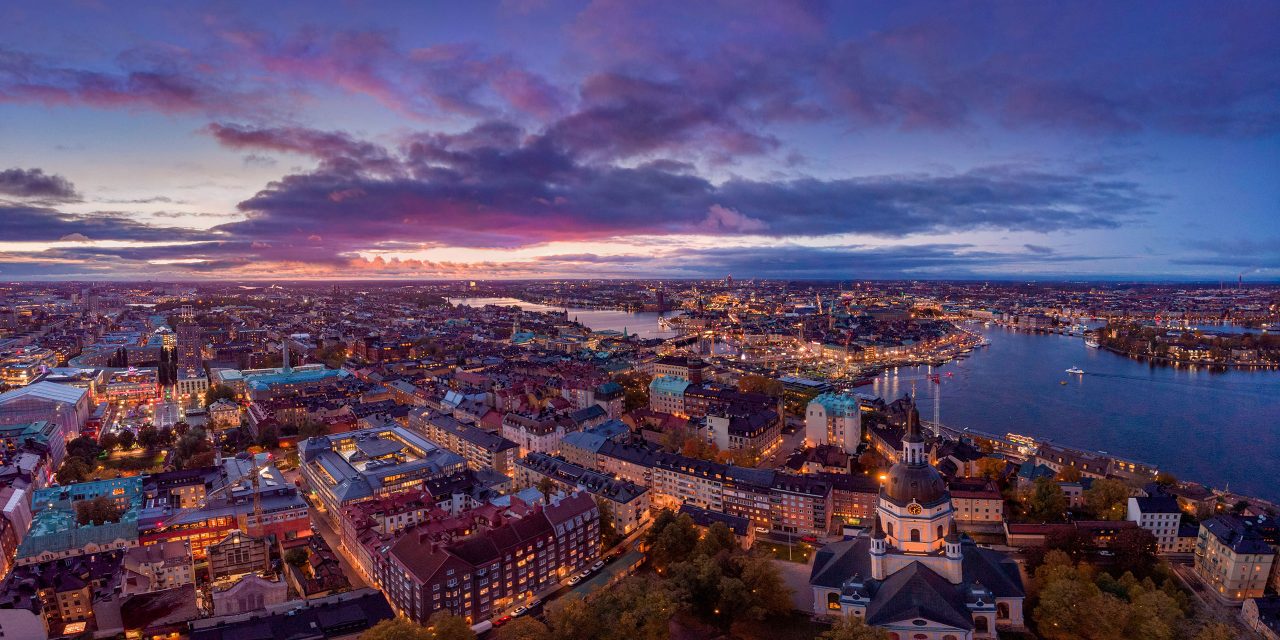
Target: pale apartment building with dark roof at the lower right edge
point(1235, 557)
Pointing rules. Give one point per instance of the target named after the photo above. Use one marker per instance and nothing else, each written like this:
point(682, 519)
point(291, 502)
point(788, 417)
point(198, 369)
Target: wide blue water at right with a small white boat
point(1219, 428)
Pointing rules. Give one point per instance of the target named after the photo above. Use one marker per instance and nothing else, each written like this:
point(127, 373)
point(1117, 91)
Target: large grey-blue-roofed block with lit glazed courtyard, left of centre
point(360, 465)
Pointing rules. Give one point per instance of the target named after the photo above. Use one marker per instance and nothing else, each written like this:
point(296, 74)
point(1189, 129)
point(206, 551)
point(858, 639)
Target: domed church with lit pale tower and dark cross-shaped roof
point(915, 575)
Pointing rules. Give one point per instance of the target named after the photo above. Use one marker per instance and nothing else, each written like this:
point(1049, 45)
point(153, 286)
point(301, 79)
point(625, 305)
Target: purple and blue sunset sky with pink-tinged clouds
point(545, 139)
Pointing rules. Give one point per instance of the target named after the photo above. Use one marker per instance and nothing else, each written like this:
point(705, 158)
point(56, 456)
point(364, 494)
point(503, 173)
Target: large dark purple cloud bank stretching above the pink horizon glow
point(496, 186)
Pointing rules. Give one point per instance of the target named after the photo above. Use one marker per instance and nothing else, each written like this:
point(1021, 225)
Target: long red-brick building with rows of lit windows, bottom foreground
point(497, 569)
